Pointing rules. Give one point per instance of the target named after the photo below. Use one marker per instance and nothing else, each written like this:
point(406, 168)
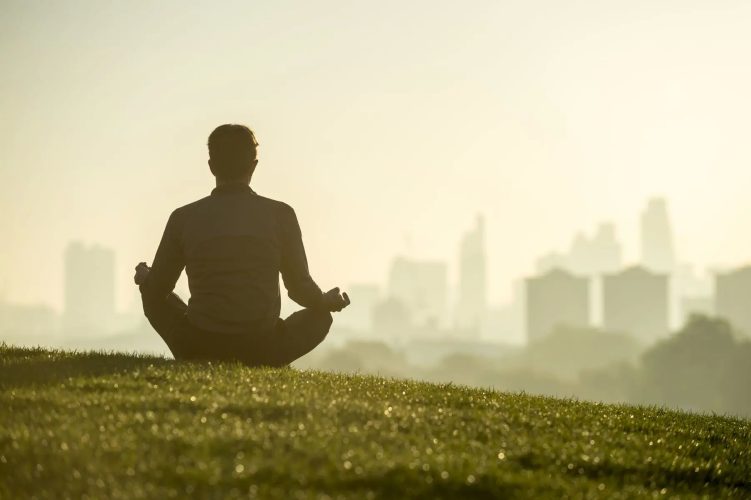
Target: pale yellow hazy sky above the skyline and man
point(388, 126)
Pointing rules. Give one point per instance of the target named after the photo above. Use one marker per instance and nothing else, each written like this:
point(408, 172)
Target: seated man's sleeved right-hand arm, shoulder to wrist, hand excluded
point(294, 264)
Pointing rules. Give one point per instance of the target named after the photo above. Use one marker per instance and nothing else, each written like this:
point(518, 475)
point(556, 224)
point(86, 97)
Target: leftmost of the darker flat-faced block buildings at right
point(554, 299)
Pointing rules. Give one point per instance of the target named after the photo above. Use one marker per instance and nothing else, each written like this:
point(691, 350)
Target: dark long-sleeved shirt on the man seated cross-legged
point(233, 245)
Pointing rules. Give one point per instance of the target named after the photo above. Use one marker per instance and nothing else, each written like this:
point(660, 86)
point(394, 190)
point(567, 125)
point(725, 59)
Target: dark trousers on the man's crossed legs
point(290, 339)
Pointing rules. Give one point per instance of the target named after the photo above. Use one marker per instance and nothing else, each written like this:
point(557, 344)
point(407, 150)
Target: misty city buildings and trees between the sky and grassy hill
point(587, 323)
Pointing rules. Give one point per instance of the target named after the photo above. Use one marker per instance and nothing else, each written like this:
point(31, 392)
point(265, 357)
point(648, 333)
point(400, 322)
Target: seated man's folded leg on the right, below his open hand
point(297, 335)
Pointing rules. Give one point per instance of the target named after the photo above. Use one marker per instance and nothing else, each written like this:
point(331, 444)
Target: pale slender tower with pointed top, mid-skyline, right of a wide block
point(472, 300)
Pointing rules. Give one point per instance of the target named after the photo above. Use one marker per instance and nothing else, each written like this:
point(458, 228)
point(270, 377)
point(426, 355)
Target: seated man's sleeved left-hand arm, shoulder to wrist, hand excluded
point(168, 264)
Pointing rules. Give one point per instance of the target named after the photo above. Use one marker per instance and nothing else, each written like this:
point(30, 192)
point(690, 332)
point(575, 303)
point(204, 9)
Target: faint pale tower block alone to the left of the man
point(89, 302)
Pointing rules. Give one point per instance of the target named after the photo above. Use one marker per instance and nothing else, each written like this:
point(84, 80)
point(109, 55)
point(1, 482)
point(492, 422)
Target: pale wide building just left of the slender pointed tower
point(422, 286)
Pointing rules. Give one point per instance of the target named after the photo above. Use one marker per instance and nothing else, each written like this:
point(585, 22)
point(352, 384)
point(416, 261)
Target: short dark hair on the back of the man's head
point(232, 149)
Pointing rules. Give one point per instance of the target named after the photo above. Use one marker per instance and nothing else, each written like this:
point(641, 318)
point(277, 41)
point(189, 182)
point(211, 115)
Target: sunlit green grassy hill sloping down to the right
point(116, 425)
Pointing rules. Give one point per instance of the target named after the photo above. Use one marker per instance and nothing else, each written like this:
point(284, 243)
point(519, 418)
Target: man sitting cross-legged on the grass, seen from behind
point(233, 245)
